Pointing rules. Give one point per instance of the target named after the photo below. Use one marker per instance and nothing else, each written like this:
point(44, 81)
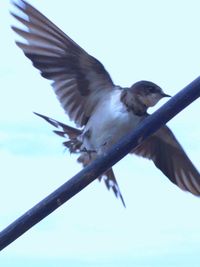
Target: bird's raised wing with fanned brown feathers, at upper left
point(79, 80)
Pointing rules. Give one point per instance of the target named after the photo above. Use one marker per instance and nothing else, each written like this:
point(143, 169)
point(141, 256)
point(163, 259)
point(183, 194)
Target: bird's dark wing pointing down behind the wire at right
point(168, 155)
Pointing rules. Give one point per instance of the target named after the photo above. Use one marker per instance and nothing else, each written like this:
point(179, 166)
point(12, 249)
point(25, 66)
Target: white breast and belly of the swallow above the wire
point(109, 122)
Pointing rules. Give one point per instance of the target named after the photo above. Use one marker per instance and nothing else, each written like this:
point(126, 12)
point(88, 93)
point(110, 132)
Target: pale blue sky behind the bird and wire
point(153, 40)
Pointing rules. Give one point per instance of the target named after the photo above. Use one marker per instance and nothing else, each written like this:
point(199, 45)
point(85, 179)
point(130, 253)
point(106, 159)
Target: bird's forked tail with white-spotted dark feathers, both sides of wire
point(86, 157)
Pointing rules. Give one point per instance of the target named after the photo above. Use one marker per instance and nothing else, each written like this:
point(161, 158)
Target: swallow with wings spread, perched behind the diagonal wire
point(102, 111)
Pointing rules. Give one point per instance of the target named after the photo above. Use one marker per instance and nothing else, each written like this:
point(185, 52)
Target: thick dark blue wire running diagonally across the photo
point(82, 179)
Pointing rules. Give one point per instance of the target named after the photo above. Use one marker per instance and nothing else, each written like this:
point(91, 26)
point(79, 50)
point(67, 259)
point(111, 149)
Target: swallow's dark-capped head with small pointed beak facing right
point(148, 93)
